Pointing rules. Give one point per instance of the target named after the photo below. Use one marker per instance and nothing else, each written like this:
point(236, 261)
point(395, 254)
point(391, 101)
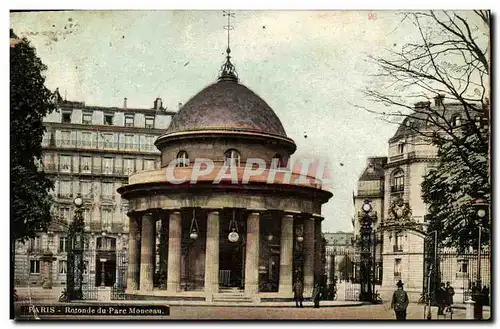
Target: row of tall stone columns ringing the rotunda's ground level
point(141, 249)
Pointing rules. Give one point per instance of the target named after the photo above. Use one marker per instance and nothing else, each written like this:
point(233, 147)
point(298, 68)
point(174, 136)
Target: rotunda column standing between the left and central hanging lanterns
point(212, 255)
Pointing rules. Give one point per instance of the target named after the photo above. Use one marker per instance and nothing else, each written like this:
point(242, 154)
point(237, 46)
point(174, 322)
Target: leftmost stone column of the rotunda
point(134, 250)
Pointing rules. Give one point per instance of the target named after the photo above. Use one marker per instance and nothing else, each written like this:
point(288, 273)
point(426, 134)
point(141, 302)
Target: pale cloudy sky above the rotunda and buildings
point(311, 67)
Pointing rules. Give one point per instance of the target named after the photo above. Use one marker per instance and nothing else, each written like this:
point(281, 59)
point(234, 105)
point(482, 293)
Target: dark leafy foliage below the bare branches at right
point(452, 187)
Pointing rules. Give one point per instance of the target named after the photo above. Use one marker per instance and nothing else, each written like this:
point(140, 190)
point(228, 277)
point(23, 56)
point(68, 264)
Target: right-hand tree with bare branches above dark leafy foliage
point(448, 63)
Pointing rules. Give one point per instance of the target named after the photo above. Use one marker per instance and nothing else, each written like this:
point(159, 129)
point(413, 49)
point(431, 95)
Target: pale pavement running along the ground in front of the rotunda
point(365, 312)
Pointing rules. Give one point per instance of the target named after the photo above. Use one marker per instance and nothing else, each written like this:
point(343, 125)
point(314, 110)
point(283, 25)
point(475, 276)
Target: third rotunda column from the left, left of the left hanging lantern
point(174, 252)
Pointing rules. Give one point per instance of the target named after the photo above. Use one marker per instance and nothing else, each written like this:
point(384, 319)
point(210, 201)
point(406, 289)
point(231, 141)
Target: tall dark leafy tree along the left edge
point(30, 101)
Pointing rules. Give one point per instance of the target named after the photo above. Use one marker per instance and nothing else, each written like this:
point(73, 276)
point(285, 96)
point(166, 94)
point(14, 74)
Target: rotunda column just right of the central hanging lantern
point(252, 255)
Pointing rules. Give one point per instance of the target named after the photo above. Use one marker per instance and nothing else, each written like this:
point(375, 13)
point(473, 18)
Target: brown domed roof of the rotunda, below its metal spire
point(226, 105)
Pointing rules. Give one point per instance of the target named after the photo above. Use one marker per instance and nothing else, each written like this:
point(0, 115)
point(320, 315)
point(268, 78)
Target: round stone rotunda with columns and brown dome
point(224, 218)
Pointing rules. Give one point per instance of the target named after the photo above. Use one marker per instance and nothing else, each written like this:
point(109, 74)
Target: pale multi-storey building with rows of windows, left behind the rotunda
point(90, 150)
